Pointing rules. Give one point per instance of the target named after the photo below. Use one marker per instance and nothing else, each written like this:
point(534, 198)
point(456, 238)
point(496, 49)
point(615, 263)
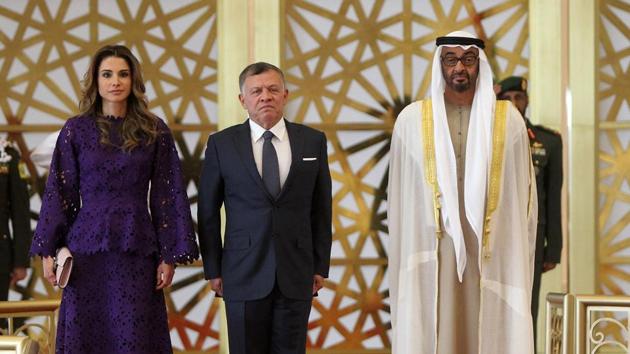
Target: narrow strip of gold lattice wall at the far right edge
point(613, 70)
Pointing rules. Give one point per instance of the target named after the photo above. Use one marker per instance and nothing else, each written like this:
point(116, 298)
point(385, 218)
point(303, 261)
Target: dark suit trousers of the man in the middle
point(274, 324)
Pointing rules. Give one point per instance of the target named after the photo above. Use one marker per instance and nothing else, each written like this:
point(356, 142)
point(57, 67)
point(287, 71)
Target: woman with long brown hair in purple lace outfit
point(95, 203)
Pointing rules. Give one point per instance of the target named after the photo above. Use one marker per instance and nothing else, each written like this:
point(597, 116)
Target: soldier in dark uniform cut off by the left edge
point(14, 205)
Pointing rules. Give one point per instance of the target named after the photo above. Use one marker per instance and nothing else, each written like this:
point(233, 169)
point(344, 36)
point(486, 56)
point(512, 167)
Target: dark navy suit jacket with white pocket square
point(285, 240)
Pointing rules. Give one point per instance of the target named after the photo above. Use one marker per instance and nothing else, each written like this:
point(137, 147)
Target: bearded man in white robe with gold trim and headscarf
point(461, 285)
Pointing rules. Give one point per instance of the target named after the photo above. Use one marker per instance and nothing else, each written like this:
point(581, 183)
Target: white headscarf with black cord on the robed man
point(478, 147)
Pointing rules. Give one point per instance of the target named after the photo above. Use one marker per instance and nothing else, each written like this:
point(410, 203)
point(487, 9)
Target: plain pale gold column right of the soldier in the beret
point(582, 144)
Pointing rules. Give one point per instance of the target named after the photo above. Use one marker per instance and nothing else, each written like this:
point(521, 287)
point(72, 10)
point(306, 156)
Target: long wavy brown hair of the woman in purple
point(140, 125)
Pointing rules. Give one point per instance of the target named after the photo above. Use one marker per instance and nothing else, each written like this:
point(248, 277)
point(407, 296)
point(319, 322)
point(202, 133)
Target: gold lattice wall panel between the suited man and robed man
point(351, 67)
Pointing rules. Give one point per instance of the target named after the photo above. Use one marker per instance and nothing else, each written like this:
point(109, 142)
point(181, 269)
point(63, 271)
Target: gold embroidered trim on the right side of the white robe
point(498, 147)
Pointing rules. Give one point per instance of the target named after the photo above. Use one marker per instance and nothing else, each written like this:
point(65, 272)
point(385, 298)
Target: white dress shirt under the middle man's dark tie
point(280, 142)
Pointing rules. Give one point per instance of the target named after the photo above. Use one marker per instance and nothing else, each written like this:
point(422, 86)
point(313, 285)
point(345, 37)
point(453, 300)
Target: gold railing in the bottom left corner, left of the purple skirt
point(31, 308)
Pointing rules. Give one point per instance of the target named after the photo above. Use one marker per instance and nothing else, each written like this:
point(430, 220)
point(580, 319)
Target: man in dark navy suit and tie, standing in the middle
point(272, 177)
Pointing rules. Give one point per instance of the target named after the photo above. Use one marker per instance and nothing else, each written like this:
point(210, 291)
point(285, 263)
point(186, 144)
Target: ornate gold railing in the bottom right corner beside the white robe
point(587, 324)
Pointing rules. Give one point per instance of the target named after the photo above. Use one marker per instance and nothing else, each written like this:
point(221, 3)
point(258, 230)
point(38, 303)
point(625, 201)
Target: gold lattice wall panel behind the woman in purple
point(45, 48)
